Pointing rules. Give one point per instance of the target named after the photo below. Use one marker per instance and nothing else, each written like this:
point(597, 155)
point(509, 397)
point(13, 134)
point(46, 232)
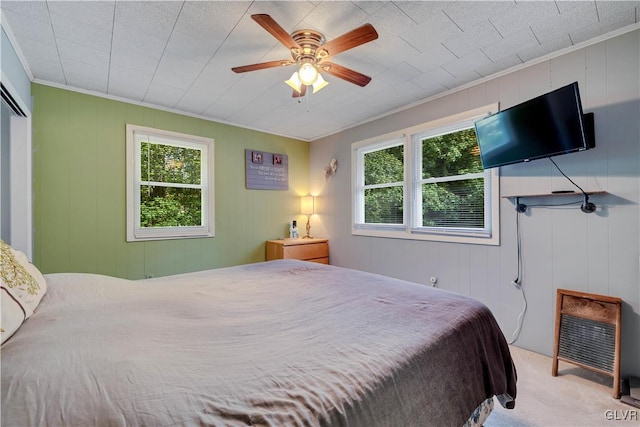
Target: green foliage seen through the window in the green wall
point(179, 203)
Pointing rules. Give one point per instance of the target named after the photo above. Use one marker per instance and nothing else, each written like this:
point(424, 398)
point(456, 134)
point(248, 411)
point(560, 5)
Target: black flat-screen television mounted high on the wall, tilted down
point(546, 126)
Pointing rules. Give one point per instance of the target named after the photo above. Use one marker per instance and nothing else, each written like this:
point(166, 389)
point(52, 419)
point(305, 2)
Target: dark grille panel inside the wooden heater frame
point(587, 342)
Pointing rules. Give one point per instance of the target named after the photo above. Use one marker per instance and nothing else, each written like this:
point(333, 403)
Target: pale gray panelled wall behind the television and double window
point(562, 248)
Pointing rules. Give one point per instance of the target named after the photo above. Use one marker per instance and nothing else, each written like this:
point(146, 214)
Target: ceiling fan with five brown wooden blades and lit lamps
point(312, 54)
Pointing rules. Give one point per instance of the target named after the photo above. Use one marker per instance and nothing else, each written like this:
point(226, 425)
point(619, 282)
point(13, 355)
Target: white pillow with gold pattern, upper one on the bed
point(23, 278)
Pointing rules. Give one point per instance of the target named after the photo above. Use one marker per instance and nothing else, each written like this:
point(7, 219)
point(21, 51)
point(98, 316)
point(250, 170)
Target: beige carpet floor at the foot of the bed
point(576, 397)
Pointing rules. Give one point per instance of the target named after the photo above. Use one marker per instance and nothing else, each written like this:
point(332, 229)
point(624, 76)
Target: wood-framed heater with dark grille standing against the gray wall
point(588, 333)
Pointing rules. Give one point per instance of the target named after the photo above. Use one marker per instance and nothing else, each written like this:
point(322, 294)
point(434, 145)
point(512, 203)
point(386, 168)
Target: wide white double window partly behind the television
point(427, 184)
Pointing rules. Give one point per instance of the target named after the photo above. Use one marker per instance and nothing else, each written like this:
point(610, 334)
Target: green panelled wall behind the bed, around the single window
point(80, 198)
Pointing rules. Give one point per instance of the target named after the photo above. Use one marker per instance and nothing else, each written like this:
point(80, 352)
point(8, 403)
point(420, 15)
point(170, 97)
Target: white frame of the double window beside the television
point(411, 227)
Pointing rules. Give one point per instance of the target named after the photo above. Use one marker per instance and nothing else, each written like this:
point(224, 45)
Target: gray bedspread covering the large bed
point(278, 343)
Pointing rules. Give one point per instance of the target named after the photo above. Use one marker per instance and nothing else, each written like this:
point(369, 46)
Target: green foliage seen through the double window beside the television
point(448, 202)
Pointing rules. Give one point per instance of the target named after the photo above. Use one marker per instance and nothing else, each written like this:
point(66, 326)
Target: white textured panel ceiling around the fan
point(178, 55)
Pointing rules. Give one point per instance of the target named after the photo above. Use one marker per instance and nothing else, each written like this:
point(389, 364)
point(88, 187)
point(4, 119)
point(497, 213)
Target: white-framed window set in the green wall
point(169, 185)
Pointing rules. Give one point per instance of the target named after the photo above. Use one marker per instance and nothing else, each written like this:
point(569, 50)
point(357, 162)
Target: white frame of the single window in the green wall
point(135, 135)
